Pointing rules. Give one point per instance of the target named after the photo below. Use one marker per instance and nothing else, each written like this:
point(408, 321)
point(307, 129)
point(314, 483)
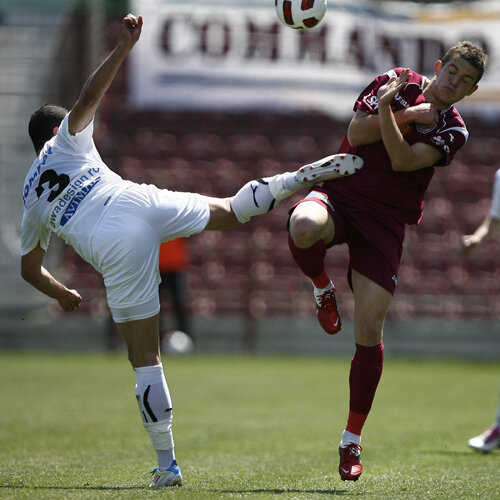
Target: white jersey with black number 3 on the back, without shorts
point(67, 191)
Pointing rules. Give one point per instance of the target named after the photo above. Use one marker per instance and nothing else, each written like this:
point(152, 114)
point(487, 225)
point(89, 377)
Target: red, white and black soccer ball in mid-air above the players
point(300, 14)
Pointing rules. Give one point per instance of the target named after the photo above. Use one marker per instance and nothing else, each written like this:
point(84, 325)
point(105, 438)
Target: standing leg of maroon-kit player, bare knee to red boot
point(371, 304)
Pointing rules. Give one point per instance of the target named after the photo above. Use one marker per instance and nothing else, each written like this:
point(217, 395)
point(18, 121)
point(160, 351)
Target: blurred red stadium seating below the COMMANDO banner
point(249, 270)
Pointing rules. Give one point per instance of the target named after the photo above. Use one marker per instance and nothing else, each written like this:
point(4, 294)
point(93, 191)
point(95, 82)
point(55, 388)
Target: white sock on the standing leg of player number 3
point(155, 405)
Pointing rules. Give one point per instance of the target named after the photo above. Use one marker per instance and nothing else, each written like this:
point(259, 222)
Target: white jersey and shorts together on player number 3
point(115, 225)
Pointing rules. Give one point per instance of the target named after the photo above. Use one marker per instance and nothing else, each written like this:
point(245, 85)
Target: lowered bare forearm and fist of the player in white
point(36, 275)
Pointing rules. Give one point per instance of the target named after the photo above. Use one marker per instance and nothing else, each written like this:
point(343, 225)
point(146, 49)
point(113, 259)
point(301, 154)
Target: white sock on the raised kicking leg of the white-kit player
point(260, 196)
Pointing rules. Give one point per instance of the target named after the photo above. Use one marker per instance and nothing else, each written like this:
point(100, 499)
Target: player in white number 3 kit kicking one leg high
point(118, 226)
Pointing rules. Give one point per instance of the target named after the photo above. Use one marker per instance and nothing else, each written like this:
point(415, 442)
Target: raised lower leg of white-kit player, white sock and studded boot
point(259, 196)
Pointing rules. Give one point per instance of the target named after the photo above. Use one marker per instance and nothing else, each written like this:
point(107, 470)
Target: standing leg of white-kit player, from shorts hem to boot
point(153, 396)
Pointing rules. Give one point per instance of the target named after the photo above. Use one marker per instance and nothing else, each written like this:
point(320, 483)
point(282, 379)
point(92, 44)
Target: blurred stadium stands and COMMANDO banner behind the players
point(218, 93)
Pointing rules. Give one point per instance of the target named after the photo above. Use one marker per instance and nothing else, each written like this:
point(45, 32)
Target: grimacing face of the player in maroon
point(454, 81)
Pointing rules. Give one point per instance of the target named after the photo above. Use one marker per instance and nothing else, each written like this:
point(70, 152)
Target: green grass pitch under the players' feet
point(244, 427)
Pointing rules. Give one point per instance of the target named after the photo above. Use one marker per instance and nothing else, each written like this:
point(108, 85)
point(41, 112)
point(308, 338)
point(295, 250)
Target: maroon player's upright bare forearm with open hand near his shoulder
point(404, 158)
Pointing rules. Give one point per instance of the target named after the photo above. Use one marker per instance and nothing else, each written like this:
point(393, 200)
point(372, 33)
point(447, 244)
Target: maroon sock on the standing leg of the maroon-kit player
point(366, 370)
